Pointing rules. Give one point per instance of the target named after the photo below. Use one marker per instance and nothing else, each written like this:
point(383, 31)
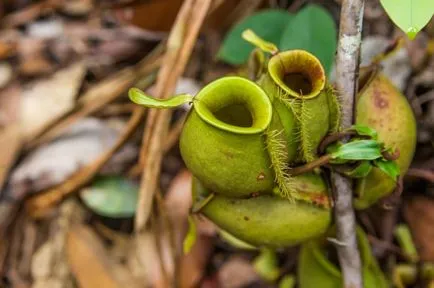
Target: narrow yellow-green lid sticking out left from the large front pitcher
point(141, 98)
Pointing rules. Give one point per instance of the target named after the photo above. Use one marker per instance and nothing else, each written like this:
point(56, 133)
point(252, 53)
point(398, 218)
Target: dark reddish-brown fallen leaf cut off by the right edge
point(419, 214)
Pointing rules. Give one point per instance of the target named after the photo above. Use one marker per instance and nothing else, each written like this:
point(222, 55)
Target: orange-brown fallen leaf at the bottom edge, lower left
point(90, 263)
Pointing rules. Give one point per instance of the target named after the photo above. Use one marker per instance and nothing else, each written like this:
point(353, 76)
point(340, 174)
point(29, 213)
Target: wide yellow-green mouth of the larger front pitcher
point(234, 104)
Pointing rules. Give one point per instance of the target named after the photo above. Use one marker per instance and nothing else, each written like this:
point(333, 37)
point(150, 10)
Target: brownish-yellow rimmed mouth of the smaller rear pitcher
point(298, 73)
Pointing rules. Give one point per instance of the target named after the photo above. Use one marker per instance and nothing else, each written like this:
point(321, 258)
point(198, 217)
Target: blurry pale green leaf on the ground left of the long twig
point(113, 196)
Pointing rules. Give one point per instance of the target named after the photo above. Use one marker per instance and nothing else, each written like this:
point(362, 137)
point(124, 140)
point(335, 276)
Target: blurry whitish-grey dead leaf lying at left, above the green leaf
point(51, 164)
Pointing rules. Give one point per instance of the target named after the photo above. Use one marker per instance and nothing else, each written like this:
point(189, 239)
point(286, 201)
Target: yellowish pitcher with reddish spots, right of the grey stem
point(382, 107)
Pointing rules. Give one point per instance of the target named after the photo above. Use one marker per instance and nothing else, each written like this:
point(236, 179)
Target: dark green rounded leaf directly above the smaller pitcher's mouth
point(314, 30)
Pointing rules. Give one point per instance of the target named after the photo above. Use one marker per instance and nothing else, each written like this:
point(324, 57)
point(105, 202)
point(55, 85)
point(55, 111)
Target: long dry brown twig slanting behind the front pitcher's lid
point(179, 47)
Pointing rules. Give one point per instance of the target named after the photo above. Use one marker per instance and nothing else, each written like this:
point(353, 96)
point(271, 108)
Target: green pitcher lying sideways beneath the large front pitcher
point(268, 220)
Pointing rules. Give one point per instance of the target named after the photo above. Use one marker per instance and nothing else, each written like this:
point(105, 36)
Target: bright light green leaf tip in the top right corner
point(409, 15)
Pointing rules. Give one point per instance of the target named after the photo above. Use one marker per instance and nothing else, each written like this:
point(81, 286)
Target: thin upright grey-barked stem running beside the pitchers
point(347, 65)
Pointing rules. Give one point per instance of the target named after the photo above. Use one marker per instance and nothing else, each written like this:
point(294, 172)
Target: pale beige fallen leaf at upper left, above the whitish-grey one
point(45, 100)
